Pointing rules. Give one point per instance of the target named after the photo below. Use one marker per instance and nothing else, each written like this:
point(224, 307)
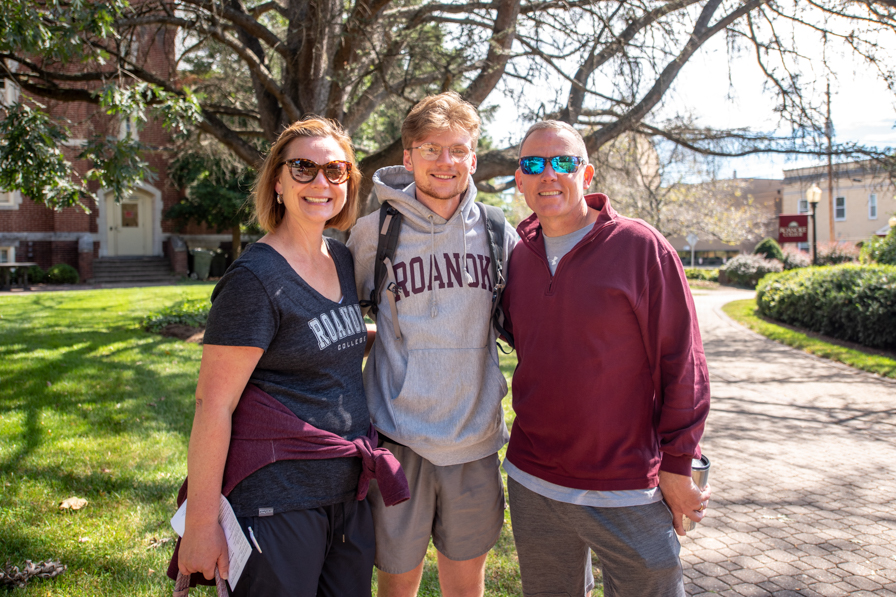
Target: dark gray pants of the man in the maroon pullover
point(637, 547)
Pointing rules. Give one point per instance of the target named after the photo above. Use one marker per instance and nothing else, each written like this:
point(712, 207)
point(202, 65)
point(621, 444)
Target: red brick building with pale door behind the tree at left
point(134, 228)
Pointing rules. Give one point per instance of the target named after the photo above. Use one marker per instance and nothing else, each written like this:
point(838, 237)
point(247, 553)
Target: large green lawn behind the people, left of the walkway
point(91, 406)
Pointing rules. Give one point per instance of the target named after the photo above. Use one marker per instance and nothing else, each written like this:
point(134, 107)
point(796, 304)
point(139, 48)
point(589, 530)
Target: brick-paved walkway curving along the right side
point(803, 455)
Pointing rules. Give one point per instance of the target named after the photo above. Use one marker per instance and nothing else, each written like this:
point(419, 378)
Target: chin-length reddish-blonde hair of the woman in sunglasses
point(269, 213)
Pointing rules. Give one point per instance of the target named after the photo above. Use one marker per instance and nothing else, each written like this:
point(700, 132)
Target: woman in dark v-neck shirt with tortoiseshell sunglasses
point(285, 320)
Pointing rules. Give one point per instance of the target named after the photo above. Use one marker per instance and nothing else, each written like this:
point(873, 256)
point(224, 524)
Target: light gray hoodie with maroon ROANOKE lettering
point(438, 390)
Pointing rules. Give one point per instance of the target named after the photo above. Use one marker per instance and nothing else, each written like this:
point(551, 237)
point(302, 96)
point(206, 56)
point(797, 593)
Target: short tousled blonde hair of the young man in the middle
point(440, 112)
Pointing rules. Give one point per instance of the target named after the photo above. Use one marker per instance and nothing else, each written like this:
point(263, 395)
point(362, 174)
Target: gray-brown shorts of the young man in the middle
point(460, 506)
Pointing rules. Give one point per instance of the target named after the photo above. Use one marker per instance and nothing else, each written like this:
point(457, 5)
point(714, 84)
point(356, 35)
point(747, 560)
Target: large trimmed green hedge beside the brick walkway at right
point(856, 303)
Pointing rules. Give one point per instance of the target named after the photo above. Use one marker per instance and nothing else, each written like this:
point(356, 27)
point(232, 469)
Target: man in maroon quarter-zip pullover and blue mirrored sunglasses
point(611, 391)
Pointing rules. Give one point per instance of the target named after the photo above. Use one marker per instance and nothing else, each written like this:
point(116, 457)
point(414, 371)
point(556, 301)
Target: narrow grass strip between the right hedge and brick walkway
point(867, 359)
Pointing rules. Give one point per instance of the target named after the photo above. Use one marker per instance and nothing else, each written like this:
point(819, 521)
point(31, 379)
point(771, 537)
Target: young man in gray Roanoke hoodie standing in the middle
point(433, 384)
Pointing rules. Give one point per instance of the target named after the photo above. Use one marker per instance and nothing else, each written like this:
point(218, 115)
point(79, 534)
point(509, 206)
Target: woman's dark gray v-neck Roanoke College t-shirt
point(311, 364)
